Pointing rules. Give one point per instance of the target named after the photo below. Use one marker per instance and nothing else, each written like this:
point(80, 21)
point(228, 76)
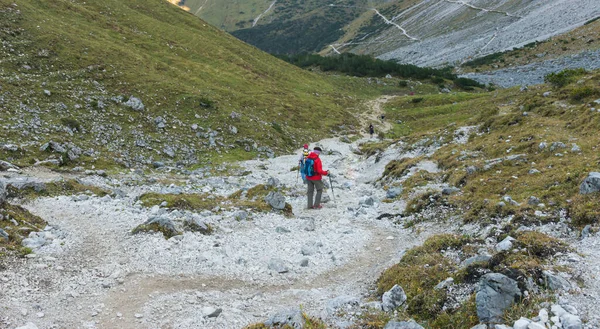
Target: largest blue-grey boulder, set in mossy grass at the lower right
point(495, 293)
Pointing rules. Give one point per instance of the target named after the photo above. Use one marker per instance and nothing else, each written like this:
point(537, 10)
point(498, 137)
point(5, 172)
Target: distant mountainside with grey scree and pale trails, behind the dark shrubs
point(428, 32)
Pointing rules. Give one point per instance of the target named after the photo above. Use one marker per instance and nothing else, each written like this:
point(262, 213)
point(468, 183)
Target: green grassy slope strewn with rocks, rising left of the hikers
point(68, 67)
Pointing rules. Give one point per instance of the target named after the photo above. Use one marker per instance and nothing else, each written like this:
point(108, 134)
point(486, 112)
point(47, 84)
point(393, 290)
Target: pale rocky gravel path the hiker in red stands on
point(96, 275)
